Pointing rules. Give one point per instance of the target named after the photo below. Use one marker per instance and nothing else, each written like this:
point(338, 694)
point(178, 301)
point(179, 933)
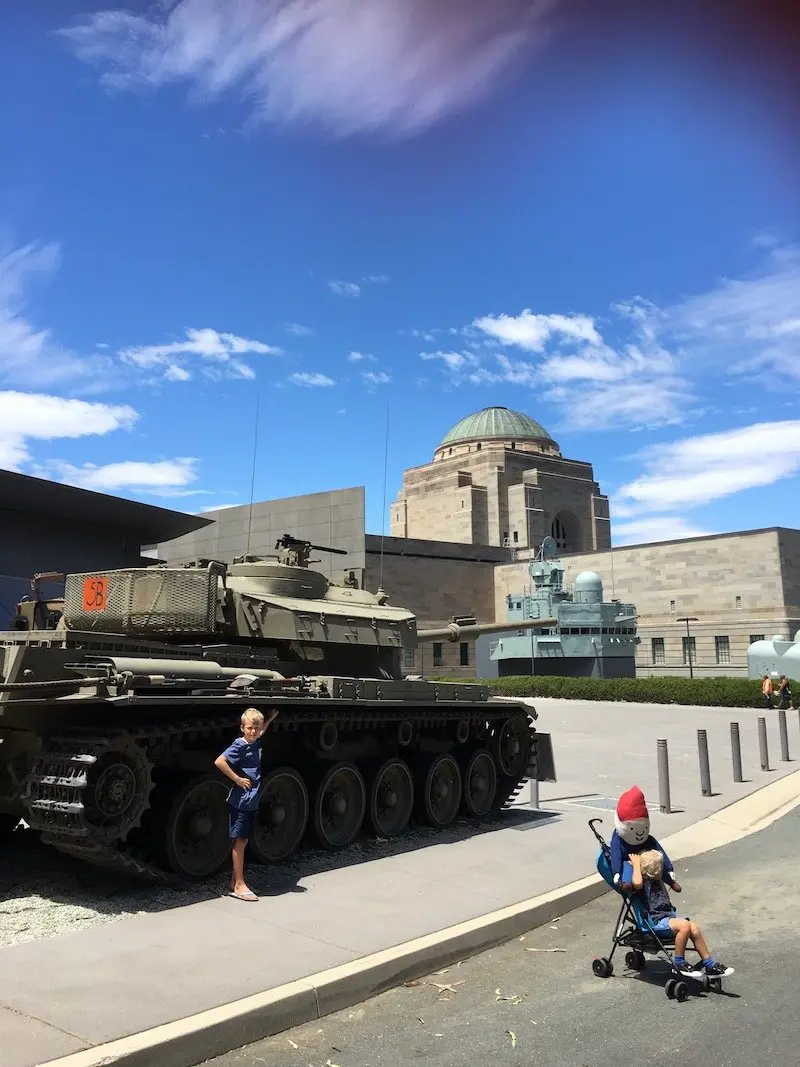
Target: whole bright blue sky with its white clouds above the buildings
point(353, 213)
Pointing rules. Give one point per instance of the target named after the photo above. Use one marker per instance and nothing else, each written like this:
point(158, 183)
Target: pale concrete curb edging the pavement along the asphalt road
point(213, 1033)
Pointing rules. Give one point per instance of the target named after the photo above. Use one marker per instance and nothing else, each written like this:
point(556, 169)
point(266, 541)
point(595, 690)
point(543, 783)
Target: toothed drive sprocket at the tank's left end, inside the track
point(118, 790)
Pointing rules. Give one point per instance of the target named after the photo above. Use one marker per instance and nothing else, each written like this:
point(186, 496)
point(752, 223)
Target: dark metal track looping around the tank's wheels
point(56, 788)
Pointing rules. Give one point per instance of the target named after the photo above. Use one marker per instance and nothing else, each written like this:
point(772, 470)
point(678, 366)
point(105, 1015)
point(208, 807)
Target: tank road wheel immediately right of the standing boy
point(283, 817)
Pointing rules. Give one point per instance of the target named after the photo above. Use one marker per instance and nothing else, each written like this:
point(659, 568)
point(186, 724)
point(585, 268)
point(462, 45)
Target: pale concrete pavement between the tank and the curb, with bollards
point(68, 993)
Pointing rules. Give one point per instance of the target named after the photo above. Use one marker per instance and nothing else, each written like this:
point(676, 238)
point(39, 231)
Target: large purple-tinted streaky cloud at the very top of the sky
point(350, 67)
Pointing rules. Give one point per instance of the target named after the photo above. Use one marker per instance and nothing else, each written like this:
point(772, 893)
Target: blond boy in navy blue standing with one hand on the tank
point(242, 762)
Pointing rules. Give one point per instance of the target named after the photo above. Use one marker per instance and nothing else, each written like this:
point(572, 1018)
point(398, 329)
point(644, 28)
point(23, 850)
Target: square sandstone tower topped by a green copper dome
point(499, 479)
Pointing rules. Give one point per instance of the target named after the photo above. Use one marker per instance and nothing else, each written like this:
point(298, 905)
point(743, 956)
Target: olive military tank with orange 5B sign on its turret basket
point(117, 698)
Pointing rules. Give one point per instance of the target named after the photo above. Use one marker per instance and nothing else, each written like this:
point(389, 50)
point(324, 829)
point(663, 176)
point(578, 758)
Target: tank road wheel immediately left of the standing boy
point(197, 841)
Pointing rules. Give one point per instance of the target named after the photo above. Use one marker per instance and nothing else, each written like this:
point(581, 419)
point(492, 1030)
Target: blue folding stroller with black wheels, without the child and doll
point(636, 933)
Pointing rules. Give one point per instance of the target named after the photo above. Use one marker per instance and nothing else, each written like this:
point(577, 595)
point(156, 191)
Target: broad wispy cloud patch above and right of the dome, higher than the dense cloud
point(642, 365)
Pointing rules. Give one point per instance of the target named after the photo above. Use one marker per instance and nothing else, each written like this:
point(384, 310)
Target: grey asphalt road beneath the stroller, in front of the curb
point(522, 1005)
